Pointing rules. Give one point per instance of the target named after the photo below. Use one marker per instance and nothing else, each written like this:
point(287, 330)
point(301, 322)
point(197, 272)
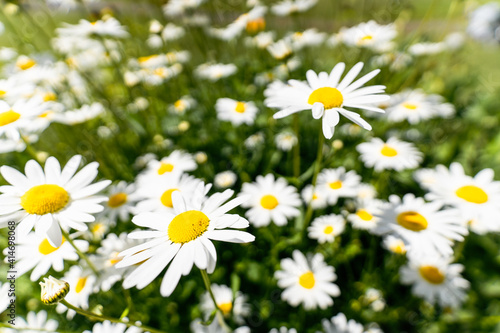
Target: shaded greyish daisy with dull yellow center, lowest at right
point(436, 280)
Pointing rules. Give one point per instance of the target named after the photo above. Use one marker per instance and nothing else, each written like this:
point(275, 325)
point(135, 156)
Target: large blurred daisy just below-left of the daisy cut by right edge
point(422, 225)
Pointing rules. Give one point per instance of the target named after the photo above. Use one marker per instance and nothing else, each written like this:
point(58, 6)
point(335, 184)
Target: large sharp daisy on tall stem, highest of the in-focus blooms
point(326, 96)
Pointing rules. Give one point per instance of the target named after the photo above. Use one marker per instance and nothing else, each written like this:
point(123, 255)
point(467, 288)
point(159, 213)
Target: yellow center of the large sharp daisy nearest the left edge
point(44, 199)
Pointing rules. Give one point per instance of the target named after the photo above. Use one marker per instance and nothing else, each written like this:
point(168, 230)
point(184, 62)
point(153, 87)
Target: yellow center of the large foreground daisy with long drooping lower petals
point(188, 226)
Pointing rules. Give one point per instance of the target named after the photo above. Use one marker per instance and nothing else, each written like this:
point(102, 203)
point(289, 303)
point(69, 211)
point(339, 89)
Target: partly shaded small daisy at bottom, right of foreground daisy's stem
point(224, 298)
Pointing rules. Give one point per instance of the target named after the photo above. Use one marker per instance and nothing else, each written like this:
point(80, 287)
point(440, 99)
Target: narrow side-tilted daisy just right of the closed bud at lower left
point(81, 286)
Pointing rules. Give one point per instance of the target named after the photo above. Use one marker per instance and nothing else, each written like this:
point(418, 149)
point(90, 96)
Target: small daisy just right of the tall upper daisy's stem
point(337, 183)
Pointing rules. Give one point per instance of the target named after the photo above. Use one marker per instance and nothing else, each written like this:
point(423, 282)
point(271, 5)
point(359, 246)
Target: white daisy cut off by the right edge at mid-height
point(478, 197)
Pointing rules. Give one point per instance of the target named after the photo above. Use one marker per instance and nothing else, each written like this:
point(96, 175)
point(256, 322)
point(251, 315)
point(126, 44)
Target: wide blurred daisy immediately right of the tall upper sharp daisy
point(415, 106)
